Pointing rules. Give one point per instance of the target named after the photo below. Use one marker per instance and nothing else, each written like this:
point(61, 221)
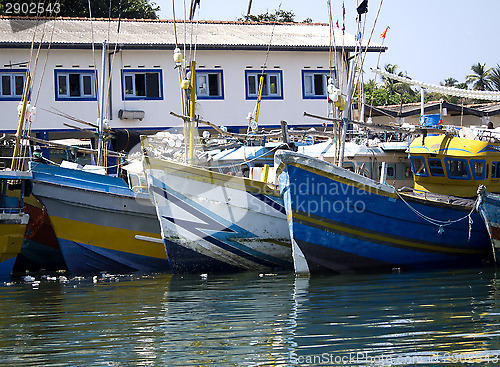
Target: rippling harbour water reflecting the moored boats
point(251, 319)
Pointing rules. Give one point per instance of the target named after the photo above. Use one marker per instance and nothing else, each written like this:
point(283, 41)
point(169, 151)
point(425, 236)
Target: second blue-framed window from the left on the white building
point(75, 85)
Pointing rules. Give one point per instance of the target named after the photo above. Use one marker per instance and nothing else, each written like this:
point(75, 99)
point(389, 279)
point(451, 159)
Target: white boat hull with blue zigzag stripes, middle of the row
point(216, 222)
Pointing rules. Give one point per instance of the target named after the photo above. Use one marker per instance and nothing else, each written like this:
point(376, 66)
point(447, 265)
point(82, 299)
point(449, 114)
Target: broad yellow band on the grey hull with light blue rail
point(117, 239)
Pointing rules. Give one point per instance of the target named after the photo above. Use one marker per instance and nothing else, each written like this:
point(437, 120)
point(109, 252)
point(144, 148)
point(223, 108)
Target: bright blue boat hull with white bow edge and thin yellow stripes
point(340, 221)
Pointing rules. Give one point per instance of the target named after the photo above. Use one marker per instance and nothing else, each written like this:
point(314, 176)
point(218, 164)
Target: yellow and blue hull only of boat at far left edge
point(12, 229)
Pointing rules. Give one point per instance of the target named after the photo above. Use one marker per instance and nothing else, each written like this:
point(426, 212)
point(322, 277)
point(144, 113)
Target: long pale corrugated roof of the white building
point(79, 32)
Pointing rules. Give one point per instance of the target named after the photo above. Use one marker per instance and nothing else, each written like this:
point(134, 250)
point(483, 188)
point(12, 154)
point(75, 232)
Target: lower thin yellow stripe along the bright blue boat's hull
point(378, 237)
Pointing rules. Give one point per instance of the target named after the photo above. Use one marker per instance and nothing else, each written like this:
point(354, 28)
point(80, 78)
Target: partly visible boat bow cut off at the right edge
point(488, 207)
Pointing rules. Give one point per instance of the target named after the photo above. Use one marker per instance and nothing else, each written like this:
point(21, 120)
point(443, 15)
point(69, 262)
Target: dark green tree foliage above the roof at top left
point(139, 9)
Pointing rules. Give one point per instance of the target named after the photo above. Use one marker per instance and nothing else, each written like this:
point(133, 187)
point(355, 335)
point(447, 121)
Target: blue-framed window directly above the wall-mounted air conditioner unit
point(142, 84)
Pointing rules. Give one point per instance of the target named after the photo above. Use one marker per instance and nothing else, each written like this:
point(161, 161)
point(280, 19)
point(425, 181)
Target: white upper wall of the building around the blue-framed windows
point(232, 111)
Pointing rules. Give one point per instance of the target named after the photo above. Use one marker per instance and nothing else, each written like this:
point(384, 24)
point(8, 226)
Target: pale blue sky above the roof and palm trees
point(430, 40)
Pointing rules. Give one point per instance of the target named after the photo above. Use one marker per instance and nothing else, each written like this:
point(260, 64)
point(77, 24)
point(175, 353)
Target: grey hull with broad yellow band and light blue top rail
point(101, 225)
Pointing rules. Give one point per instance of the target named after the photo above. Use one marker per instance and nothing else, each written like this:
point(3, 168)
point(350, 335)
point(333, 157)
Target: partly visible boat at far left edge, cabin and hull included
point(13, 220)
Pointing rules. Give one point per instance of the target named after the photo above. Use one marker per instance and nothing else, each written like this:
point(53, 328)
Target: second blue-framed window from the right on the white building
point(272, 87)
